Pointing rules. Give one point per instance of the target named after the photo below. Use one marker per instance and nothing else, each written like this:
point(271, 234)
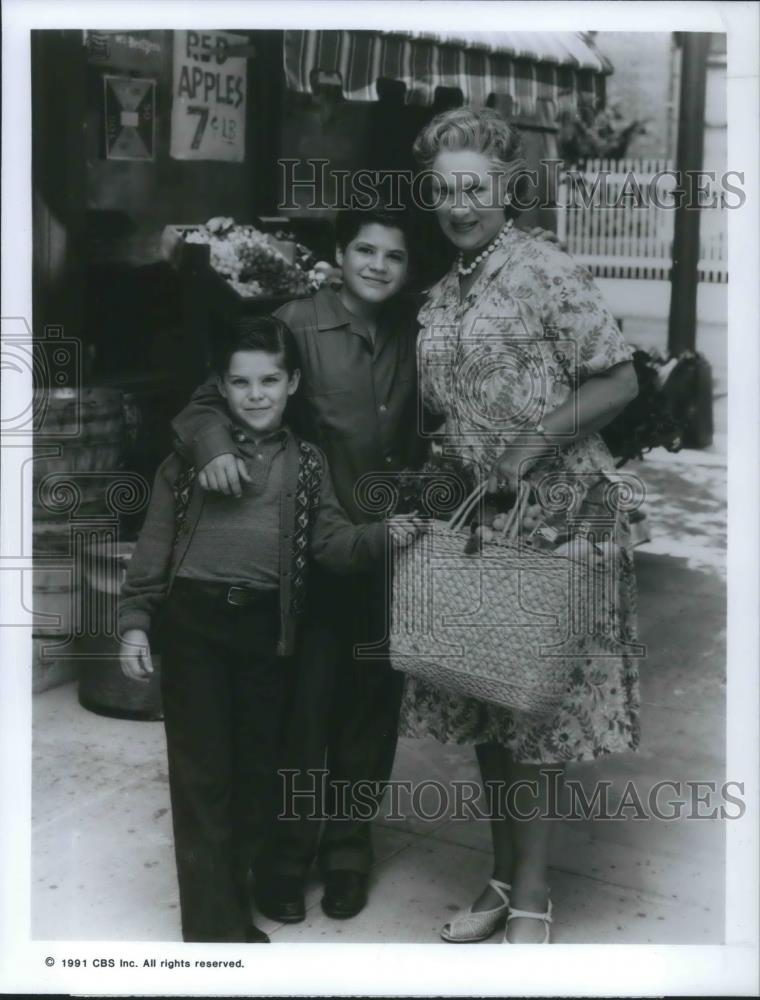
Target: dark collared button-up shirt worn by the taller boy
point(357, 399)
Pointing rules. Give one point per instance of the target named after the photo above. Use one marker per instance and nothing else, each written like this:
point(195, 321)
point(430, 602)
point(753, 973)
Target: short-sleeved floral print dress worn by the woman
point(531, 328)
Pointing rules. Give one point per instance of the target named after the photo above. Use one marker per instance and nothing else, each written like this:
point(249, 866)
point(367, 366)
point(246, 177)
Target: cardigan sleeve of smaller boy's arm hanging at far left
point(147, 578)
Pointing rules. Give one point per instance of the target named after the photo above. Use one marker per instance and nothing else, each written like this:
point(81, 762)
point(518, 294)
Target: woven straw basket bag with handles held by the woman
point(505, 625)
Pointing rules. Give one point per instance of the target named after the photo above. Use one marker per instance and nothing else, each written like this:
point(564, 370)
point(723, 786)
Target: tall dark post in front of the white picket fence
point(691, 130)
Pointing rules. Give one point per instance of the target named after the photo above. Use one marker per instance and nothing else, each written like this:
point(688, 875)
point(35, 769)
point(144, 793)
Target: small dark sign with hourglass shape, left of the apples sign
point(130, 118)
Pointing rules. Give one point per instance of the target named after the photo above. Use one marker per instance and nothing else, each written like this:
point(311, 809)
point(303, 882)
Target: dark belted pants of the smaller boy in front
point(223, 689)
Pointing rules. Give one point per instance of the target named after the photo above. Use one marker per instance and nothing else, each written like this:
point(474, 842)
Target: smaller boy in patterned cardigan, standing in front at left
point(228, 576)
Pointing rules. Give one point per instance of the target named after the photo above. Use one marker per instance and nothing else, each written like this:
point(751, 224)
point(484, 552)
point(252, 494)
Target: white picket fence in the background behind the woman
point(609, 221)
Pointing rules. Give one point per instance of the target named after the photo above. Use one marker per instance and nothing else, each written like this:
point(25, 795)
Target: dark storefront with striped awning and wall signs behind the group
point(137, 131)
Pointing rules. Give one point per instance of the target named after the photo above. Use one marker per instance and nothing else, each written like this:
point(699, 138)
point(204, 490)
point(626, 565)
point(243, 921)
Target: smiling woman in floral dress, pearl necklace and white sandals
point(525, 363)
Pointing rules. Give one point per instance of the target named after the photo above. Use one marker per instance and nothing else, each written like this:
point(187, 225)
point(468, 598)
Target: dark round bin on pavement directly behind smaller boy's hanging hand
point(103, 688)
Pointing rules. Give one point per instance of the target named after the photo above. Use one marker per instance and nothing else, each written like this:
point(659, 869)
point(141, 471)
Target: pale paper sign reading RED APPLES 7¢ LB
point(208, 97)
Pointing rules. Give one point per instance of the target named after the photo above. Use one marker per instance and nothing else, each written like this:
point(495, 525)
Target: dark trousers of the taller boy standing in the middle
point(342, 732)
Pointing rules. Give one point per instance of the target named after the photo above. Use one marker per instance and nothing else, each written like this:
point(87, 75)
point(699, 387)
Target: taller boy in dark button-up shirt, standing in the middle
point(358, 402)
